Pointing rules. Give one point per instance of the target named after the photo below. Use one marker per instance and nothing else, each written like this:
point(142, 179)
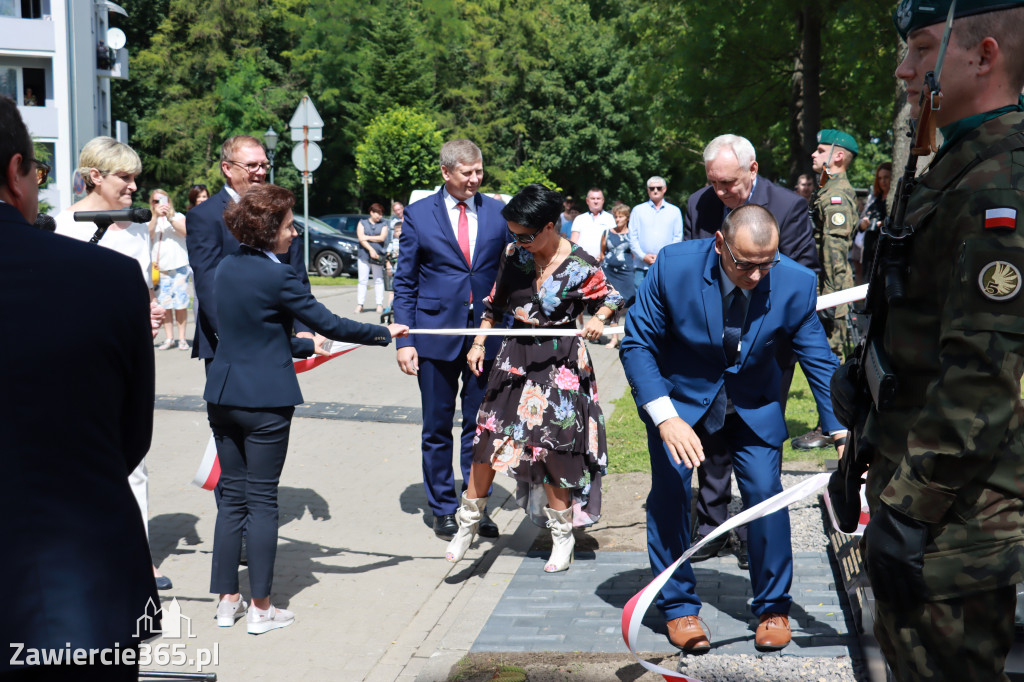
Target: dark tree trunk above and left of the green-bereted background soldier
point(806, 97)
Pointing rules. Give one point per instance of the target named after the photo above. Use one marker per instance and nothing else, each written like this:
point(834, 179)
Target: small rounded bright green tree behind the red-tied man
point(399, 154)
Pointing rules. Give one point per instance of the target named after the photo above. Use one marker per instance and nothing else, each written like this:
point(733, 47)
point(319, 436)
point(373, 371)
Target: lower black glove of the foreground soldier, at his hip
point(895, 559)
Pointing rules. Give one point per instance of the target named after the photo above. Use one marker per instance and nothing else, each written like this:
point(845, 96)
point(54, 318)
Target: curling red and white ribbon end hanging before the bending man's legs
point(636, 608)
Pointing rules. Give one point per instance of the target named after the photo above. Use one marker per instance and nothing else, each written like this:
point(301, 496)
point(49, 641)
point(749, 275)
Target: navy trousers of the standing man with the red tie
point(440, 386)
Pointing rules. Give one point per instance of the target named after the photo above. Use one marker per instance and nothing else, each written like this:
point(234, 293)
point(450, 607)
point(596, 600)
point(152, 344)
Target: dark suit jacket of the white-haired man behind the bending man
point(705, 215)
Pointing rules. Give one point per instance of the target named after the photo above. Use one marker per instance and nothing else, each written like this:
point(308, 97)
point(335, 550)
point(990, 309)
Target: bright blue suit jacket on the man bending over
point(673, 342)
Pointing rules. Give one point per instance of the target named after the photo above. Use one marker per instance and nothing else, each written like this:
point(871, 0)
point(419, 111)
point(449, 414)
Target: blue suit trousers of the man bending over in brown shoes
point(756, 465)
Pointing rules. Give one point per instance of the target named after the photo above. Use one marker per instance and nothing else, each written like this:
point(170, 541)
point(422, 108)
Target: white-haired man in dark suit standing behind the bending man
point(732, 167)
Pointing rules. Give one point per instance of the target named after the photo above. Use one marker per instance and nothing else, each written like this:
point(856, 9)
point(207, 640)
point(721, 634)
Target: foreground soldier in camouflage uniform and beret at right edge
point(946, 544)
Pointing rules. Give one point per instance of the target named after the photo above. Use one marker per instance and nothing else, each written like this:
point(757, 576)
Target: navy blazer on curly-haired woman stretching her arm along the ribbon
point(259, 301)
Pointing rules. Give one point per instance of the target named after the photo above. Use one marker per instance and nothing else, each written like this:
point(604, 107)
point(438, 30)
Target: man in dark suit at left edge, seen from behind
point(77, 570)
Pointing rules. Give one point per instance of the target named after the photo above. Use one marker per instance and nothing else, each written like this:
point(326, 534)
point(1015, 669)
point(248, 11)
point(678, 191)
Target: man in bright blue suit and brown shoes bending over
point(700, 356)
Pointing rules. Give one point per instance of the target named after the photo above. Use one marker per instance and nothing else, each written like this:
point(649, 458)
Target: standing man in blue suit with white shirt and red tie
point(448, 262)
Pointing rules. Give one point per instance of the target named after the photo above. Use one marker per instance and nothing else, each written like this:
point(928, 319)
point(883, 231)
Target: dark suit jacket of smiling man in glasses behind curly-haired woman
point(208, 241)
